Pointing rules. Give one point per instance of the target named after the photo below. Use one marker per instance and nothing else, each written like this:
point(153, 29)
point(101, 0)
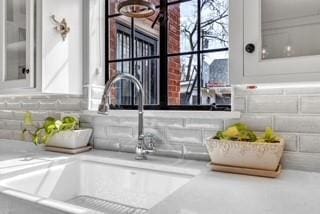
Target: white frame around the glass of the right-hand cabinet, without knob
point(245, 28)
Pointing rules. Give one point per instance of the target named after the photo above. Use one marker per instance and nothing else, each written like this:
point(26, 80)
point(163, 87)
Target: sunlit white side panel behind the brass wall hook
point(62, 61)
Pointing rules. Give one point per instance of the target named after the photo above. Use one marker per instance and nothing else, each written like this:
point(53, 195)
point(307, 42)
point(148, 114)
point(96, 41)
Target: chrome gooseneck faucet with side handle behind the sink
point(142, 147)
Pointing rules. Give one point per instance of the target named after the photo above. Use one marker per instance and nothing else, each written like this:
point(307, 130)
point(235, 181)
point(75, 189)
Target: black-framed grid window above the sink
point(180, 55)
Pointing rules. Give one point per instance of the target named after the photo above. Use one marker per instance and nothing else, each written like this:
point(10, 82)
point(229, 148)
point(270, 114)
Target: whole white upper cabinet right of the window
point(274, 41)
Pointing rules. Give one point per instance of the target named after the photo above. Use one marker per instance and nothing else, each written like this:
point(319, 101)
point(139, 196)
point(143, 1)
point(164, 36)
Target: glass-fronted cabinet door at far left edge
point(16, 43)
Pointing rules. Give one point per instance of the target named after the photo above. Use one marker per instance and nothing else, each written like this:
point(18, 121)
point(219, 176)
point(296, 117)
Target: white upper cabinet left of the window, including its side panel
point(34, 57)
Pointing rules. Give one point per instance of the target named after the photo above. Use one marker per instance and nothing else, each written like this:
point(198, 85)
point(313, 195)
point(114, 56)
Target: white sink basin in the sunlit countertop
point(89, 183)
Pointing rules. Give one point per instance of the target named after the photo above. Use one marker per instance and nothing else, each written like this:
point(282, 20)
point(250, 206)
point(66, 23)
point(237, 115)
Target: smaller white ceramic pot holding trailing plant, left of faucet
point(71, 139)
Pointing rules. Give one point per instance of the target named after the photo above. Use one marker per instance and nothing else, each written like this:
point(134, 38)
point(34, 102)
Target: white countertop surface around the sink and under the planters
point(294, 192)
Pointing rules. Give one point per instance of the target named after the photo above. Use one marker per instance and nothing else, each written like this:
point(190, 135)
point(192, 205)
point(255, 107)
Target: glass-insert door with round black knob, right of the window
point(281, 37)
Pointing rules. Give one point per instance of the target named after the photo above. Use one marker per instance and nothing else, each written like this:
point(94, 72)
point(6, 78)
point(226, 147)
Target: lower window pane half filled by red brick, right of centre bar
point(182, 80)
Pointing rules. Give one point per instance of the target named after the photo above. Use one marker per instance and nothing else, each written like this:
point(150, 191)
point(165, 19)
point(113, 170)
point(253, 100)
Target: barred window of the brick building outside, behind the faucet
point(145, 70)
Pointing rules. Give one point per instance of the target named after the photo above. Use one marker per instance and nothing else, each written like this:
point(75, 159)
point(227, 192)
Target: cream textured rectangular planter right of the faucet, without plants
point(253, 155)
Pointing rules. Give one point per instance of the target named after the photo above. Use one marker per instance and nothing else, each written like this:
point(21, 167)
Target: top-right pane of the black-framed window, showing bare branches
point(214, 24)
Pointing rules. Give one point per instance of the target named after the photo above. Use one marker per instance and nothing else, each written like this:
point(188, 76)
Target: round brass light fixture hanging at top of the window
point(136, 8)
